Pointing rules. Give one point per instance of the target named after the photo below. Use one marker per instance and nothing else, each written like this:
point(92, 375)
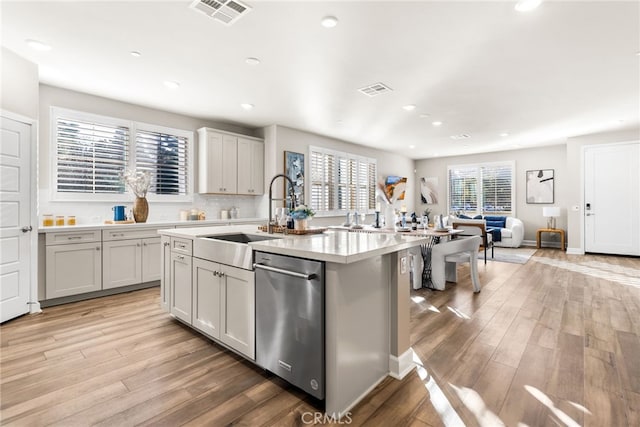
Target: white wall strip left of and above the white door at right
point(575, 189)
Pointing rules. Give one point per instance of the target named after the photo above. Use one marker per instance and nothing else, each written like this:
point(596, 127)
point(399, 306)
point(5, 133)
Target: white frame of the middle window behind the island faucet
point(335, 191)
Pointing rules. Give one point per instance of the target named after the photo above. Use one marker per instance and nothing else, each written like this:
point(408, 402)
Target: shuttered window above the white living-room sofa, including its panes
point(482, 189)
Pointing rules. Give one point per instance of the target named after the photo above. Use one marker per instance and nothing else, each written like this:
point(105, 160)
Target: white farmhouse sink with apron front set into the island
point(230, 249)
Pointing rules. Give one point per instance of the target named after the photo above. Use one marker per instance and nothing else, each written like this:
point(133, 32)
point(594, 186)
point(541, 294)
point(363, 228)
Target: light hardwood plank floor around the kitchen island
point(553, 342)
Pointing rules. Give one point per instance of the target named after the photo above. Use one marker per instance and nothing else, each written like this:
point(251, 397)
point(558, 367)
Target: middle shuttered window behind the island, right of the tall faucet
point(341, 182)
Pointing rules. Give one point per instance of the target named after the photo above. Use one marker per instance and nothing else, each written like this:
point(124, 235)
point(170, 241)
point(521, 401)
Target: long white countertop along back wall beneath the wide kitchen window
point(154, 224)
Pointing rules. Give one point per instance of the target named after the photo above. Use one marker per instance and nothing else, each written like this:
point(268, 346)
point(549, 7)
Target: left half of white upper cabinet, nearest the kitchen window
point(217, 162)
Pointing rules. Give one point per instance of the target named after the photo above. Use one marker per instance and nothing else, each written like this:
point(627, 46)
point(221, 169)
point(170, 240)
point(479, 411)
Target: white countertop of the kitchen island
point(332, 246)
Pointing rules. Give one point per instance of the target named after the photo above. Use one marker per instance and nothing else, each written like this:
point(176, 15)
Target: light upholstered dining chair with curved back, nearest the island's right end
point(446, 255)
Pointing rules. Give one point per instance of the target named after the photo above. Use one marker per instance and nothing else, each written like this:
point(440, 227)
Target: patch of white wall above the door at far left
point(19, 88)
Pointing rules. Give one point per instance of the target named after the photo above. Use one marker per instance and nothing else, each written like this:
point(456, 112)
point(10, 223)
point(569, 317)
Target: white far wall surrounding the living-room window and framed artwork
point(550, 157)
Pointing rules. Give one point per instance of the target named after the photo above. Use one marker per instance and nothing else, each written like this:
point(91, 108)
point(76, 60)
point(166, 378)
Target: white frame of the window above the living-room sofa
point(481, 202)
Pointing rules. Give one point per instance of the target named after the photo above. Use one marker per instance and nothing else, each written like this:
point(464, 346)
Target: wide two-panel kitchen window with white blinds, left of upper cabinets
point(91, 152)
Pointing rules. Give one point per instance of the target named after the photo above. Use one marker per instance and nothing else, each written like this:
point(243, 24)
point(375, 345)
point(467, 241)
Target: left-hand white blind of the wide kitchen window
point(90, 156)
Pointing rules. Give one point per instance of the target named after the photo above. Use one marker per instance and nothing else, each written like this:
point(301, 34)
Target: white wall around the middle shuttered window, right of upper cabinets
point(279, 139)
